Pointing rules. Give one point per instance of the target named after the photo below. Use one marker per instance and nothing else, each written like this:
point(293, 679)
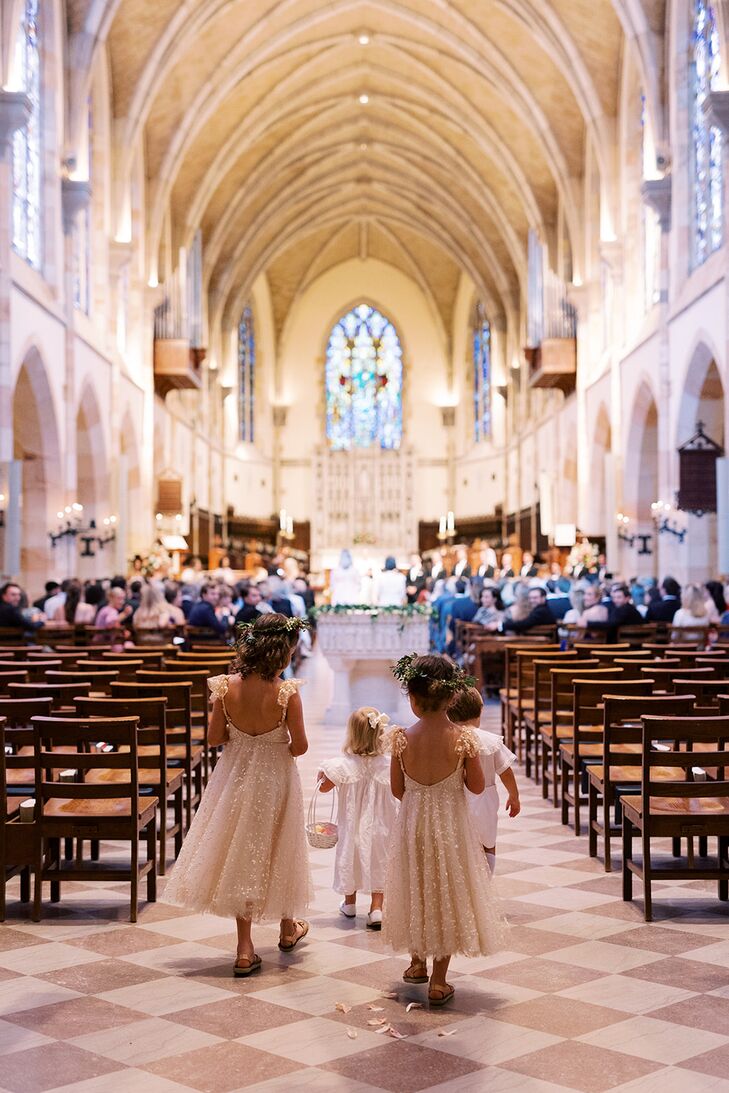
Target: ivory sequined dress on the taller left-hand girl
point(245, 854)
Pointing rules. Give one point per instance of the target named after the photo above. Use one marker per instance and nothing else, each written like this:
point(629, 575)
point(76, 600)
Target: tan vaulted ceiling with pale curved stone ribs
point(474, 130)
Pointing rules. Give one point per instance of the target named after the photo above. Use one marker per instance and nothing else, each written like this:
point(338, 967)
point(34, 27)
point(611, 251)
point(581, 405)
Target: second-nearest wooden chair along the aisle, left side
point(156, 775)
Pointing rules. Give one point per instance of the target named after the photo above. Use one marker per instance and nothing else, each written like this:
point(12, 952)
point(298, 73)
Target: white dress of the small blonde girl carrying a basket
point(366, 817)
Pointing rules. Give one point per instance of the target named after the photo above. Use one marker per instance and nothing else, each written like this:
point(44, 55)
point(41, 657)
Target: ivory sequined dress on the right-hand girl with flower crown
point(440, 898)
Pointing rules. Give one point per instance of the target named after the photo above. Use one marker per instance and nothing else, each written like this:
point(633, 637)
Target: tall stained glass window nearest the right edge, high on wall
point(707, 140)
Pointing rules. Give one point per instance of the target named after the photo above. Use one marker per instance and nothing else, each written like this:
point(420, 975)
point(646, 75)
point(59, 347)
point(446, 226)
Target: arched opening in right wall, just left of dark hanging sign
point(641, 480)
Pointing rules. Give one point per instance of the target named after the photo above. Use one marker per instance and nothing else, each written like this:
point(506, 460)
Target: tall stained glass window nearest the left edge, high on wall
point(27, 142)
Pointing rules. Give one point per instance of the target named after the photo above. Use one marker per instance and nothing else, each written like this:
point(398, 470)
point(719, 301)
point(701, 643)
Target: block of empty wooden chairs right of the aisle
point(589, 724)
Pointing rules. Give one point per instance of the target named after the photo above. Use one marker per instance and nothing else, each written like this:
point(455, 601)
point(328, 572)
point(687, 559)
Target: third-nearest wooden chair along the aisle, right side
point(586, 744)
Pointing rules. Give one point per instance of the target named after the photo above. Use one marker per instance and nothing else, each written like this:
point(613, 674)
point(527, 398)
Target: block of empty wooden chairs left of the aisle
point(112, 746)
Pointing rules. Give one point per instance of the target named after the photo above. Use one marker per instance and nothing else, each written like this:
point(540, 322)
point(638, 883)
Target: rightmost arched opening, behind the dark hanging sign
point(702, 402)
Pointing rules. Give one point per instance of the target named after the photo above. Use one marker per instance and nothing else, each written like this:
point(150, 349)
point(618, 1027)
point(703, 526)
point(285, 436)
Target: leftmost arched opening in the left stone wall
point(37, 445)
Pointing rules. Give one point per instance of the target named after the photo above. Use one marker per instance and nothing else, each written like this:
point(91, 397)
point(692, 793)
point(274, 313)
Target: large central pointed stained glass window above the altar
point(364, 382)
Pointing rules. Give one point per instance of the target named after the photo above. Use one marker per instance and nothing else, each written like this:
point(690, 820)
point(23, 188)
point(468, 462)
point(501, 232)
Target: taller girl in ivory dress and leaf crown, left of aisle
point(245, 854)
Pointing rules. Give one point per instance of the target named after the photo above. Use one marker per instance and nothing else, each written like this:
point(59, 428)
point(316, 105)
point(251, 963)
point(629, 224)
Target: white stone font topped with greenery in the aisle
point(361, 647)
